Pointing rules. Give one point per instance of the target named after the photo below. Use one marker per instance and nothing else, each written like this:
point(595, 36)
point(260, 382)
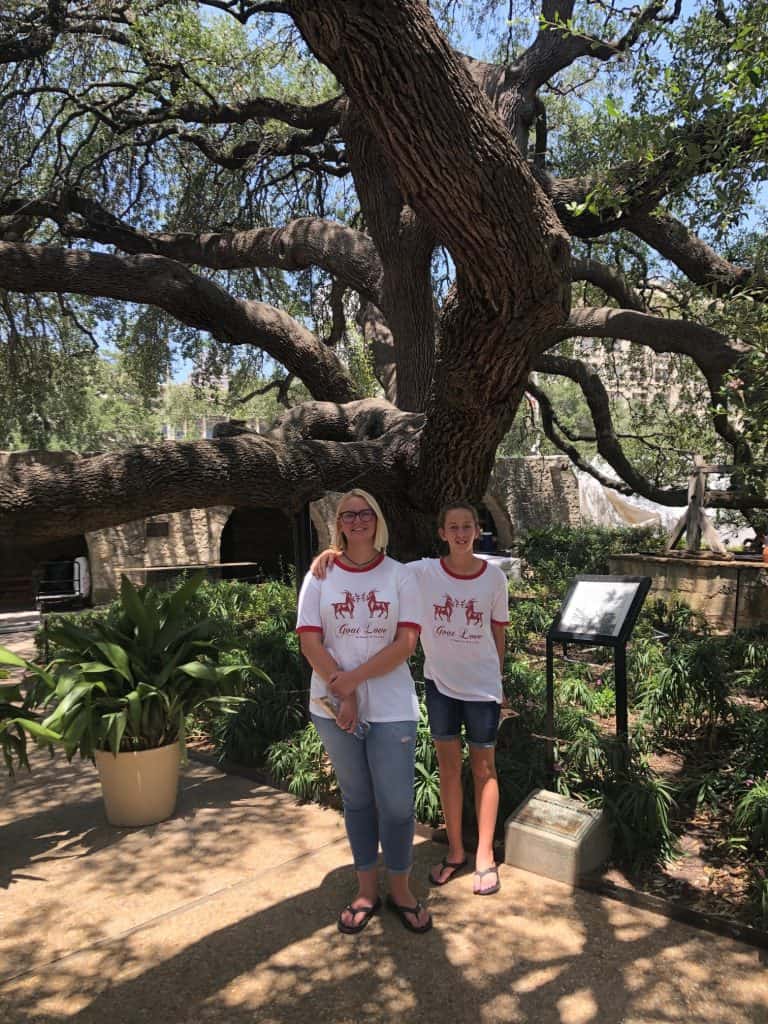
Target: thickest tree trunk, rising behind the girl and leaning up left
point(457, 166)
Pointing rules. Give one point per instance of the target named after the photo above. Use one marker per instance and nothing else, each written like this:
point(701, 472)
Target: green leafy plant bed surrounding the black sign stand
point(690, 805)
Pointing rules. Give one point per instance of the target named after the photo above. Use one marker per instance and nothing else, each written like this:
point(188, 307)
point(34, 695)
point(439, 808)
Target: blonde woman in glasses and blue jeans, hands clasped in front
point(358, 628)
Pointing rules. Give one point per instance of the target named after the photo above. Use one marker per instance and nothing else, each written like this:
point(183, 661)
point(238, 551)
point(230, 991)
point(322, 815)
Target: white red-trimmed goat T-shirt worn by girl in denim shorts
point(457, 615)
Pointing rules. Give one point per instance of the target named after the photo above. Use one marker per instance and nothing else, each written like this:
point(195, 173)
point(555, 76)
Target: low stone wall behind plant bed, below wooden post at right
point(730, 594)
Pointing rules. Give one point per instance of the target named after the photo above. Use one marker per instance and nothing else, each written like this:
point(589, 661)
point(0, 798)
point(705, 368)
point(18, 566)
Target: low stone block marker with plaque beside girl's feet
point(557, 836)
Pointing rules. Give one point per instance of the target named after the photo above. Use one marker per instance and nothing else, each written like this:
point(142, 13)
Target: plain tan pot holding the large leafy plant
point(140, 789)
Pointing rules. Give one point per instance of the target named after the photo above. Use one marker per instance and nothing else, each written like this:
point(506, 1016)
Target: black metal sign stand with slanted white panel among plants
point(601, 612)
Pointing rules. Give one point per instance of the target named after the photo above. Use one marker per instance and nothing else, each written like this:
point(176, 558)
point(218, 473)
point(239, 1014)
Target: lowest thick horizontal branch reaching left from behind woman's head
point(41, 503)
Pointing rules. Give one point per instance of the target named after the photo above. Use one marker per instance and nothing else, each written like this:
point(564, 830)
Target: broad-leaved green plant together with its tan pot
point(119, 693)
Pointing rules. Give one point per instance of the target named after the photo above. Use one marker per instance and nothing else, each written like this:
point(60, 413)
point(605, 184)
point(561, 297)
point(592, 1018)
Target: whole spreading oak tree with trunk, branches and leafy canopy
point(415, 212)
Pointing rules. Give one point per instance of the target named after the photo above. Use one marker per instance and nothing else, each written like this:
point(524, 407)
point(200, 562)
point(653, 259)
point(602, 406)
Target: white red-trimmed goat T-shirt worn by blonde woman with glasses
point(359, 612)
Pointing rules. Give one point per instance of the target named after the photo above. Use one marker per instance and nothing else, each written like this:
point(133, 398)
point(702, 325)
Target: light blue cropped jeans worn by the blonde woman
point(376, 779)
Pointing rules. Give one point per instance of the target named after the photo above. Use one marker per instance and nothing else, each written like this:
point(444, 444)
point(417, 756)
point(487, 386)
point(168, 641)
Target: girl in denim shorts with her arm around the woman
point(464, 616)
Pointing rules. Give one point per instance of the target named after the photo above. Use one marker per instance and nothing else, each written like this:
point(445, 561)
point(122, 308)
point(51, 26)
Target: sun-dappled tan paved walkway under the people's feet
point(227, 914)
